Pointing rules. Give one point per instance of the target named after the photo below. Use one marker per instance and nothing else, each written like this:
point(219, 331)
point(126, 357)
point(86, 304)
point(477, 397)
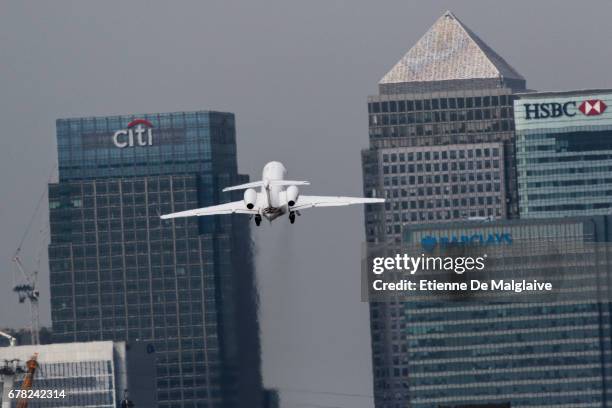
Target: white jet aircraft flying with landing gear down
point(276, 197)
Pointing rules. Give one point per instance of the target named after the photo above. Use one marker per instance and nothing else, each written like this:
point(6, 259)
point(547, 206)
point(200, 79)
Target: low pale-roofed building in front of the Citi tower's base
point(74, 375)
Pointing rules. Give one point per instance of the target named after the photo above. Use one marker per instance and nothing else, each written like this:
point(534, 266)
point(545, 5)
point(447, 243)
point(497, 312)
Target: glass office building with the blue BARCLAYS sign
point(528, 350)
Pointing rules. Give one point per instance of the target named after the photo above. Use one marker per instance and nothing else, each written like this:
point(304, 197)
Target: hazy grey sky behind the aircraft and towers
point(297, 75)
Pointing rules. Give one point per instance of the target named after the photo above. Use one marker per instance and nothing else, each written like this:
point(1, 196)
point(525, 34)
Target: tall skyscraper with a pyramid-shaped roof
point(441, 148)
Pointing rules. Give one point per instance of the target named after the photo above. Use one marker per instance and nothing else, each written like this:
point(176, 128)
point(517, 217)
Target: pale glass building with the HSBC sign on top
point(564, 153)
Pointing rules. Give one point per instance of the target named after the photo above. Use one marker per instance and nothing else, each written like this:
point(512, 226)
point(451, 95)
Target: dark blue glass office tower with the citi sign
point(118, 272)
